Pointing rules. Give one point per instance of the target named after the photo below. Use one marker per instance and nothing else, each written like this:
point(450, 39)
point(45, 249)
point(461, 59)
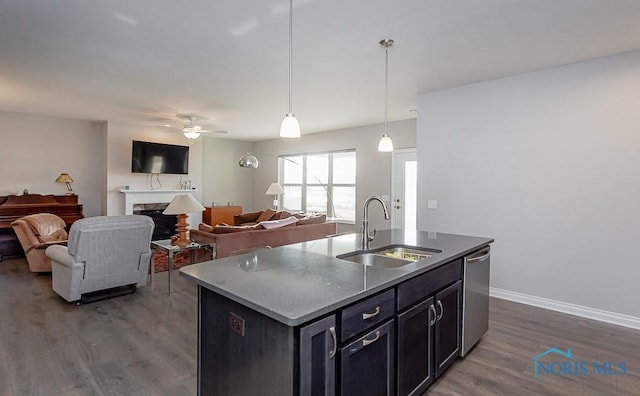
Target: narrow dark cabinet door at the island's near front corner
point(318, 347)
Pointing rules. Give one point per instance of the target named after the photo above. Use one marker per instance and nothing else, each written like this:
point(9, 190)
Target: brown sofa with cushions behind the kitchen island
point(249, 234)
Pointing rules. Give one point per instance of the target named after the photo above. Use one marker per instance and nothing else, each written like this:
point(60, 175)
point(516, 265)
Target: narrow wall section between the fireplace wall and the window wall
point(224, 180)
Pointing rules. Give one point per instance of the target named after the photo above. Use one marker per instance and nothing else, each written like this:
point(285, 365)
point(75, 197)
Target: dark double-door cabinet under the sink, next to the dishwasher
point(428, 330)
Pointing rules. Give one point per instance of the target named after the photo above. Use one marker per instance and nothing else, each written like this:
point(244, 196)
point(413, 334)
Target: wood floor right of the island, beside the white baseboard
point(501, 363)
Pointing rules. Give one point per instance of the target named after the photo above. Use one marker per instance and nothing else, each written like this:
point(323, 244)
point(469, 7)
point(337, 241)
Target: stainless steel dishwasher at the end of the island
point(475, 299)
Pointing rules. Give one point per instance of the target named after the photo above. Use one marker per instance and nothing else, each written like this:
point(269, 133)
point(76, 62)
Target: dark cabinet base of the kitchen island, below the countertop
point(397, 341)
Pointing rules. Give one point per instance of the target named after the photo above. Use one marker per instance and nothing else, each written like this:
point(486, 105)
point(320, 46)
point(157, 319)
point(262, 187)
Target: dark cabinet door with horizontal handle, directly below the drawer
point(368, 364)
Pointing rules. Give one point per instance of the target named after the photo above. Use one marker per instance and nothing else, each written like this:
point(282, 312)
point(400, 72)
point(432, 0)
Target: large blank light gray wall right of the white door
point(548, 164)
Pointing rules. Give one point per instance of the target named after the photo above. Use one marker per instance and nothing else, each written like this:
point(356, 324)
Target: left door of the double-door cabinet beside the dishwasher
point(415, 353)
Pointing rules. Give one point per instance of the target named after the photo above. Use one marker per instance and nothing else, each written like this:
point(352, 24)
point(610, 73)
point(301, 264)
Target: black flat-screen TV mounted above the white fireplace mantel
point(148, 157)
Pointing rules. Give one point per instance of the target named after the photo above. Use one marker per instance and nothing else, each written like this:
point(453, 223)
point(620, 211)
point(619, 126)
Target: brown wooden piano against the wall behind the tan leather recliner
point(13, 207)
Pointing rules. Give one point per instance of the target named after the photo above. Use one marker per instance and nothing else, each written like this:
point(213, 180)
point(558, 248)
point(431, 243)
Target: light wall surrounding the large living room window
point(373, 174)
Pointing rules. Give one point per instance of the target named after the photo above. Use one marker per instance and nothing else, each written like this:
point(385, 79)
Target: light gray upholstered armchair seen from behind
point(103, 252)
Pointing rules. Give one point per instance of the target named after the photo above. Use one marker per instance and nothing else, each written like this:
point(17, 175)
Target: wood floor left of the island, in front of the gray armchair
point(139, 344)
